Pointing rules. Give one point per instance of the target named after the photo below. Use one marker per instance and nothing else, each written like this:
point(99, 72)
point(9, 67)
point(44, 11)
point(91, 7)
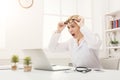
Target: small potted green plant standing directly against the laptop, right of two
point(27, 64)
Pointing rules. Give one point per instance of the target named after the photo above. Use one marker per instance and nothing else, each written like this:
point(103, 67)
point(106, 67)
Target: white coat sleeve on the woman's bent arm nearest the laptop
point(55, 46)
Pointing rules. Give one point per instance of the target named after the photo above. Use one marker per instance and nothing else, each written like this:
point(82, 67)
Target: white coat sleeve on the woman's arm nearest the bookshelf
point(92, 39)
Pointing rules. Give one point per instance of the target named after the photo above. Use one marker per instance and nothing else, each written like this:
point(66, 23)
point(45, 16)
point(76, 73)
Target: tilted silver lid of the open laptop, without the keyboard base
point(39, 59)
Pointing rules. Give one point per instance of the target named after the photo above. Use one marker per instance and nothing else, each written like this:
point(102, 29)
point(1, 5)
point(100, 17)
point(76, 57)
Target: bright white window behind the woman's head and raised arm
point(59, 11)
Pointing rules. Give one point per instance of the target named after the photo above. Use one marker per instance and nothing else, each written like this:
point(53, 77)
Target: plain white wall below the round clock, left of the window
point(23, 26)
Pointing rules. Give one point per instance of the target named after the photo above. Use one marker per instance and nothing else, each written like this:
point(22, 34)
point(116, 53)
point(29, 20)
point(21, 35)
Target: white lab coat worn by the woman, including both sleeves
point(85, 54)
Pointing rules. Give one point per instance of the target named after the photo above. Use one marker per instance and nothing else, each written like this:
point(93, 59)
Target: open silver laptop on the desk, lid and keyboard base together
point(40, 61)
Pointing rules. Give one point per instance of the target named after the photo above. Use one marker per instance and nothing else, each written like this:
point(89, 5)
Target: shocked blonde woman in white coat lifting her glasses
point(83, 46)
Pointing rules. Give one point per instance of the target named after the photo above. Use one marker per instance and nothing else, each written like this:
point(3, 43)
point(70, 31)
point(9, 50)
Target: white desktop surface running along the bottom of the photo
point(59, 75)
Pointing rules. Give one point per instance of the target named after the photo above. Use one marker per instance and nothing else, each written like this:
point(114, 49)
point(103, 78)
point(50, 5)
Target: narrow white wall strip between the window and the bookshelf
point(99, 8)
